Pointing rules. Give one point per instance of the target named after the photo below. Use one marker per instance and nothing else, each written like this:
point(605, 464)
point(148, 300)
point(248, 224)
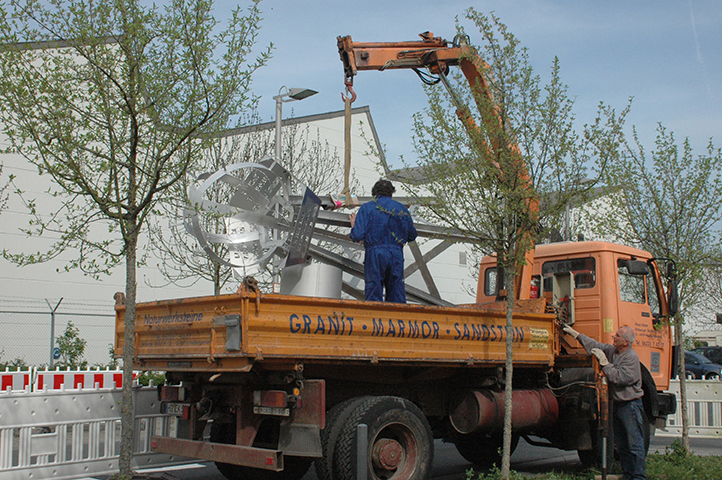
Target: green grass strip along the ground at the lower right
point(673, 464)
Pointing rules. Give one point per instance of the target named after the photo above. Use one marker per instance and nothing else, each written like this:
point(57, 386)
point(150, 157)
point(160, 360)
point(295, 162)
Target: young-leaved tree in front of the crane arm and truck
point(507, 180)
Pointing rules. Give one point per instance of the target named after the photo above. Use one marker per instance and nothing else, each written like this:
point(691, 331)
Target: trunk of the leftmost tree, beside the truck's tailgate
point(127, 409)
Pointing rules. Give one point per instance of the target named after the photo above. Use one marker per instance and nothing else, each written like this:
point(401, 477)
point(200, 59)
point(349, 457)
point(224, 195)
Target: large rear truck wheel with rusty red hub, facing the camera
point(400, 442)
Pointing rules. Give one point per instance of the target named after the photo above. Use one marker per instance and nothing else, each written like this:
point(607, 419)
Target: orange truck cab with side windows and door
point(598, 287)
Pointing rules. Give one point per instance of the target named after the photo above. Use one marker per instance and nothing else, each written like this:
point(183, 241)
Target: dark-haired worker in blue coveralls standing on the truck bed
point(384, 225)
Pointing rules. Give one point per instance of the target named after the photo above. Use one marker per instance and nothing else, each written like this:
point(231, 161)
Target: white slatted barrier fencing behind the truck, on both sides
point(74, 432)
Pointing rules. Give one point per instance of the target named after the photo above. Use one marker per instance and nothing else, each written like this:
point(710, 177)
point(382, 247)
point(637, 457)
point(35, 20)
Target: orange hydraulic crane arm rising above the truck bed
point(437, 55)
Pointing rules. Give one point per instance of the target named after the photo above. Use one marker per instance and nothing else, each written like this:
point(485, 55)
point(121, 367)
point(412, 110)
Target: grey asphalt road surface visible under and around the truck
point(449, 465)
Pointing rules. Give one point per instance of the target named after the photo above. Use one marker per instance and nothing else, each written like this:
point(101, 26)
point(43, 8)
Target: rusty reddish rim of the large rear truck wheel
point(394, 453)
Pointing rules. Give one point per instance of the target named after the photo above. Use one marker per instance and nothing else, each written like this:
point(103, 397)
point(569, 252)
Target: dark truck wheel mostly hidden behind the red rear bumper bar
point(294, 468)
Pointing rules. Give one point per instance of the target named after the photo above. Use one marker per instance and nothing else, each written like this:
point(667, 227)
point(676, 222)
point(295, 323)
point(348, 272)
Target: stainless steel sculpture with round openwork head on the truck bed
point(249, 209)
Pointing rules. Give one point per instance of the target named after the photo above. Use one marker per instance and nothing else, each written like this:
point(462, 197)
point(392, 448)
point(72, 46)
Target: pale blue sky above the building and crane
point(663, 53)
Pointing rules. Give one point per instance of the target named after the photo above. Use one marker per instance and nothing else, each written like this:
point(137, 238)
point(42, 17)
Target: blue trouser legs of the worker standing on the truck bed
point(384, 269)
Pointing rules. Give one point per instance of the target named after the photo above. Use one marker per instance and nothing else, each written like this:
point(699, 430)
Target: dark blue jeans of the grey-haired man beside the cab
point(629, 438)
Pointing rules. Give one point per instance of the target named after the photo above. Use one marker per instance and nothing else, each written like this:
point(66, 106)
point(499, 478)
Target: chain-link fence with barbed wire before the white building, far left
point(27, 326)
